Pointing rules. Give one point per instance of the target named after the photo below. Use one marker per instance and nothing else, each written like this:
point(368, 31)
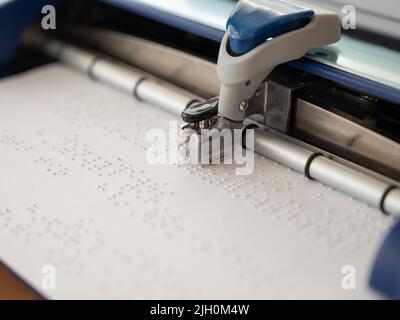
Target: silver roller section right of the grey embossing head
point(316, 166)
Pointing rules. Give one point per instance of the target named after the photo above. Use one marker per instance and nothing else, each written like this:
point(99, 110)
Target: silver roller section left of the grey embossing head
point(122, 76)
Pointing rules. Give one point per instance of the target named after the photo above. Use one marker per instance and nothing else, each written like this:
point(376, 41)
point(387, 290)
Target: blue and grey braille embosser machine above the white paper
point(320, 100)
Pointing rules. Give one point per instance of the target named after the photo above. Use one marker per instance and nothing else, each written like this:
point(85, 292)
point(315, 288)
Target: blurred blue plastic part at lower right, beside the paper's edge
point(385, 275)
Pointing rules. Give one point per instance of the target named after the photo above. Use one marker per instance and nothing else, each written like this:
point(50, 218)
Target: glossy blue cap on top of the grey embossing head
point(254, 21)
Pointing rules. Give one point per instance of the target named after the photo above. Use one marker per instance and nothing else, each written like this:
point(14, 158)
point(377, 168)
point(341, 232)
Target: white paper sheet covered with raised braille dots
point(77, 194)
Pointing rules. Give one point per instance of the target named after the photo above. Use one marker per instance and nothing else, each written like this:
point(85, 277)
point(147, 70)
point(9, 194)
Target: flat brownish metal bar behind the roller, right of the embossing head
point(324, 127)
